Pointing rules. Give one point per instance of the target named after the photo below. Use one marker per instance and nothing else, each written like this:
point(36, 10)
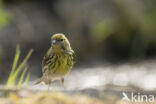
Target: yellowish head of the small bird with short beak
point(60, 43)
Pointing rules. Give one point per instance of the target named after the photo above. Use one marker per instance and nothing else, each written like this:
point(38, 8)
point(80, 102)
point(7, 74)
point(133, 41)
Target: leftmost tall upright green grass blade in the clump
point(15, 62)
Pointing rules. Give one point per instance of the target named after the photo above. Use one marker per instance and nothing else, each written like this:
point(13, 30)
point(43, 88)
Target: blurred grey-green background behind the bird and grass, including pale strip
point(114, 40)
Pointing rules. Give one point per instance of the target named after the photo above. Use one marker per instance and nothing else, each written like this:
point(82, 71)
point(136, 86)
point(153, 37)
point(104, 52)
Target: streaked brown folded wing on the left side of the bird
point(47, 59)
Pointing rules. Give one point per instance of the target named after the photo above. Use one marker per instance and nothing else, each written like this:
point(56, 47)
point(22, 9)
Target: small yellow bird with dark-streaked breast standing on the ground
point(58, 60)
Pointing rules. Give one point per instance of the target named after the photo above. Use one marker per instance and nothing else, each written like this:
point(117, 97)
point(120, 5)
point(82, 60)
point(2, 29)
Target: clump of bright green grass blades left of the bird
point(16, 70)
